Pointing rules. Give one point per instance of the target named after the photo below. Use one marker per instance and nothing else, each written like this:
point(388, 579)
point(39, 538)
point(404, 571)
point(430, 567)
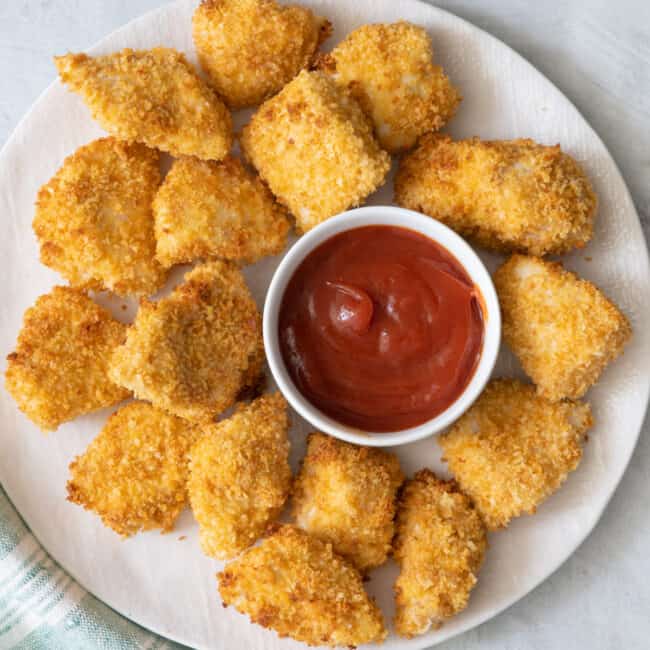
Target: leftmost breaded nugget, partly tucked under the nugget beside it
point(60, 367)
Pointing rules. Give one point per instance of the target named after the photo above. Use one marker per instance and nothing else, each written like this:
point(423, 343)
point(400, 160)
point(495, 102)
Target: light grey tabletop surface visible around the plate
point(598, 53)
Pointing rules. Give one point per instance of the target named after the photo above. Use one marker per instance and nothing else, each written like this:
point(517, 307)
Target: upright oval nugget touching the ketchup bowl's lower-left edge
point(240, 476)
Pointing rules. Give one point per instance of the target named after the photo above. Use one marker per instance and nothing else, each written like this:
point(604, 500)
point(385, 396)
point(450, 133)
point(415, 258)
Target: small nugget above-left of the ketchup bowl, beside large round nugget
point(207, 210)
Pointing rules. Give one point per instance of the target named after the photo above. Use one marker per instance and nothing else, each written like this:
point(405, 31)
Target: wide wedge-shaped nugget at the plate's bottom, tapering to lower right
point(296, 585)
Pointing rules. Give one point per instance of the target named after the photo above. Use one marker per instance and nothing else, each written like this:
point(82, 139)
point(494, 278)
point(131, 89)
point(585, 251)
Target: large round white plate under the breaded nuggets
point(166, 584)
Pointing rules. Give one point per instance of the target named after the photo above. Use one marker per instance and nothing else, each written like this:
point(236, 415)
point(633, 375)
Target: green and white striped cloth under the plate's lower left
point(42, 607)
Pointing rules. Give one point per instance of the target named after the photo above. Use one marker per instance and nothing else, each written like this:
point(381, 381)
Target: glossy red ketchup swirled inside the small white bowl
point(381, 328)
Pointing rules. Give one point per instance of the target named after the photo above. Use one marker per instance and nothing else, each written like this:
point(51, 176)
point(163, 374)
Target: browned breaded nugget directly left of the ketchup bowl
point(192, 352)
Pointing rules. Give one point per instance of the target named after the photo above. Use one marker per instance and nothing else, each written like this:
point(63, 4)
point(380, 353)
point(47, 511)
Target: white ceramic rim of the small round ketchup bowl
point(382, 216)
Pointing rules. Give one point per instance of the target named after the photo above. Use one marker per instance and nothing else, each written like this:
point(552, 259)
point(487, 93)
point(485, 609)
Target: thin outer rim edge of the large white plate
point(493, 612)
